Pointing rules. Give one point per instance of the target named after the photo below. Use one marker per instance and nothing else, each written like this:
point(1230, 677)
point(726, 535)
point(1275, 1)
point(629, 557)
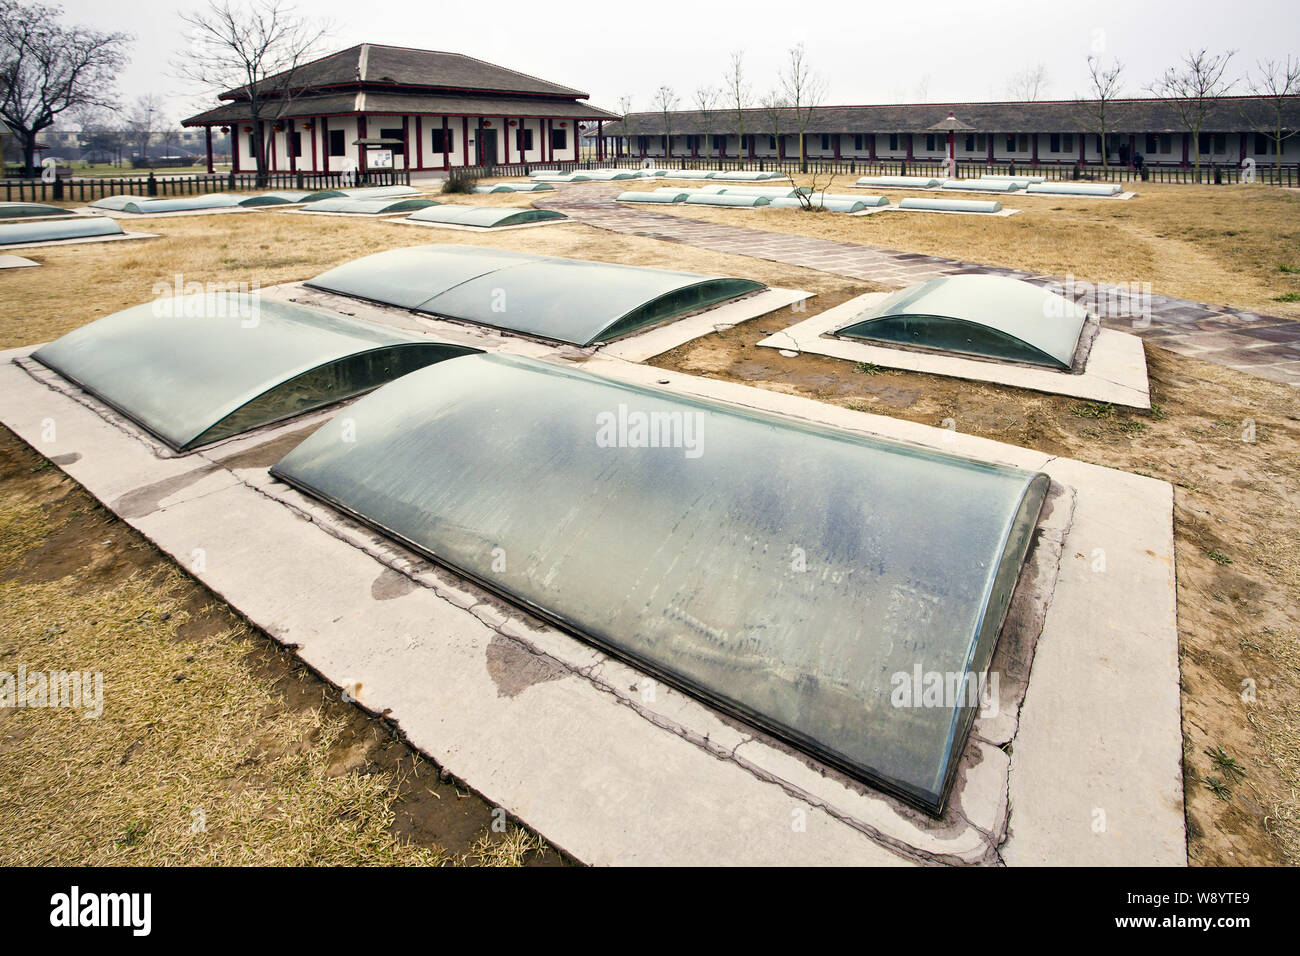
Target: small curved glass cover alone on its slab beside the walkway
point(991, 317)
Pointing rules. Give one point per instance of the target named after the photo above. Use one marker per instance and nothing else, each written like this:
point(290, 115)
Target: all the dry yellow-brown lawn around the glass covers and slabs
point(79, 582)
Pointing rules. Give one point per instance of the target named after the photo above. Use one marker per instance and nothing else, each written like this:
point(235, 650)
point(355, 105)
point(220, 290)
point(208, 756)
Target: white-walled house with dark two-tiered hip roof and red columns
point(375, 106)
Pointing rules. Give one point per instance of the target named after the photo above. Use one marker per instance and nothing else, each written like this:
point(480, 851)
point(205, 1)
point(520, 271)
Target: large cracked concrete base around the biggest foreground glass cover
point(617, 769)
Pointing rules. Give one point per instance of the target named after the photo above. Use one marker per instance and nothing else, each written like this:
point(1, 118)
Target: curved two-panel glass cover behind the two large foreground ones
point(571, 301)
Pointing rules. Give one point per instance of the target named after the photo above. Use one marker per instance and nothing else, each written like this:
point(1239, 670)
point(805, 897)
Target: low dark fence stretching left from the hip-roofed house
point(88, 191)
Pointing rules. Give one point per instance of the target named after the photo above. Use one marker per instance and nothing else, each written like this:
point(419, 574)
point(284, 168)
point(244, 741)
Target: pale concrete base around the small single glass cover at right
point(1116, 370)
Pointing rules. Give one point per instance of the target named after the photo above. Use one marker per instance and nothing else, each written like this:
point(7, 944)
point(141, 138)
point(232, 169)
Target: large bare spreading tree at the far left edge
point(47, 68)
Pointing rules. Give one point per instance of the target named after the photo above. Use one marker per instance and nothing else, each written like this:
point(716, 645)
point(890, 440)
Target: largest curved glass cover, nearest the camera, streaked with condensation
point(794, 576)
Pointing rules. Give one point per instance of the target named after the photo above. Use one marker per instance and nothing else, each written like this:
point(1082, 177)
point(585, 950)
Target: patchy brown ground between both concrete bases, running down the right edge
point(1230, 444)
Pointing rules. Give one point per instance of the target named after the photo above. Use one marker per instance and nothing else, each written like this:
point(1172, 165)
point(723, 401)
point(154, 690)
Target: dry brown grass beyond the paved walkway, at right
point(1221, 245)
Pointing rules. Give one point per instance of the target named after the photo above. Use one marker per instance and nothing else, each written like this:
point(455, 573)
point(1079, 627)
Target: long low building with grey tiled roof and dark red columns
point(1043, 133)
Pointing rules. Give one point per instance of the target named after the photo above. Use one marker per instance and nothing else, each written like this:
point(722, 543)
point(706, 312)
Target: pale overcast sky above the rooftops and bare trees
point(869, 51)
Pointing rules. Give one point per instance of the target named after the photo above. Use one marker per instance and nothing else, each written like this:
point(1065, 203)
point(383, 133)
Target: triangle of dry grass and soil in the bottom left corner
point(218, 719)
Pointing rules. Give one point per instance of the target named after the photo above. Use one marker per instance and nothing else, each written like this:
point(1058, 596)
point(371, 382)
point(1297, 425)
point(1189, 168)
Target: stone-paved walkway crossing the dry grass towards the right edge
point(1264, 345)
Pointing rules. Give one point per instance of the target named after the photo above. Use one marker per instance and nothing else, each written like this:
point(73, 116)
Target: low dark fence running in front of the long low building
point(1210, 174)
